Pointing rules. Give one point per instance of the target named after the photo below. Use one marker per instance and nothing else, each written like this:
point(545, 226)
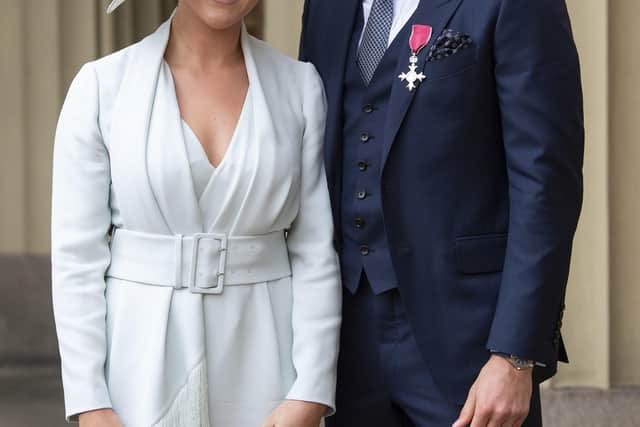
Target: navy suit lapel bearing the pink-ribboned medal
point(436, 13)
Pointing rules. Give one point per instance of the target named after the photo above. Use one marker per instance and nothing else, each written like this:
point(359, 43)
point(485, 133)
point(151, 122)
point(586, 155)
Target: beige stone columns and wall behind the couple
point(43, 43)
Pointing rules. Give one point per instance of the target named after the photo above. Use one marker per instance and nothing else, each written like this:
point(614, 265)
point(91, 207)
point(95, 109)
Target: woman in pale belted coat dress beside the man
point(195, 283)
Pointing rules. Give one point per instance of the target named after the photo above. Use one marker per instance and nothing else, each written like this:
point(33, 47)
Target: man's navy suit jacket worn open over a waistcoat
point(481, 179)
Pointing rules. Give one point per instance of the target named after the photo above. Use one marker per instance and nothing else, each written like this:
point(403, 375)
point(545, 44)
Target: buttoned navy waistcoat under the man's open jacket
point(365, 246)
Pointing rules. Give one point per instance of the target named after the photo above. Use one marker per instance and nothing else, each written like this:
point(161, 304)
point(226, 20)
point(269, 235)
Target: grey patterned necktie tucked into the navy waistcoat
point(375, 38)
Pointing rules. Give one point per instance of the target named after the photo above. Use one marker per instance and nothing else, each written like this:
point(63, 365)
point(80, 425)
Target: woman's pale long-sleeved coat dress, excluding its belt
point(123, 157)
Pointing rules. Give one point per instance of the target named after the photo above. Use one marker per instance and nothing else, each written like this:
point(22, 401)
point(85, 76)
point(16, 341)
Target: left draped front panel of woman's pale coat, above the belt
point(149, 166)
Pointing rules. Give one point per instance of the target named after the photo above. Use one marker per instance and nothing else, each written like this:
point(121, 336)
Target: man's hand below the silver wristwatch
point(500, 397)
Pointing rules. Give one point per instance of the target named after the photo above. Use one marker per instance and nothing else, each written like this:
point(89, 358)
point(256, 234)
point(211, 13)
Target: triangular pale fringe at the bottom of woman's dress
point(190, 407)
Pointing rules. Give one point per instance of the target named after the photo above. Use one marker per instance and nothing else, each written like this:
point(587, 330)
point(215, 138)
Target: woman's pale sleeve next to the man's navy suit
point(317, 292)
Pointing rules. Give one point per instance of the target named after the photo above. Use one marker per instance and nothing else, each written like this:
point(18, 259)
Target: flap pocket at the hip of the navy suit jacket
point(481, 254)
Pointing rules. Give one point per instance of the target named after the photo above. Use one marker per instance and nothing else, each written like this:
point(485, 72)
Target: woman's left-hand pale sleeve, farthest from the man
point(79, 245)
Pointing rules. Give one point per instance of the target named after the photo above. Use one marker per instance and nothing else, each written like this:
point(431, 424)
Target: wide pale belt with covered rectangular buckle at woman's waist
point(205, 263)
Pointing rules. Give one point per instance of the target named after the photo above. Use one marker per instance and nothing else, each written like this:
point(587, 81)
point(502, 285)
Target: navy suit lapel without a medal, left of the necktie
point(340, 23)
